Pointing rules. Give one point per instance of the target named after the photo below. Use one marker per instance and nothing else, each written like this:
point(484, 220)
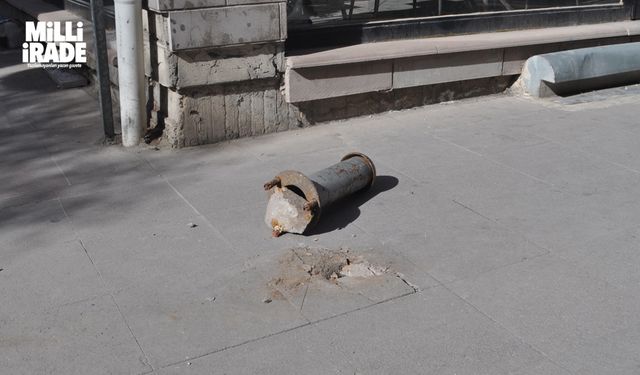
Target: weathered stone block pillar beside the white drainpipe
point(216, 69)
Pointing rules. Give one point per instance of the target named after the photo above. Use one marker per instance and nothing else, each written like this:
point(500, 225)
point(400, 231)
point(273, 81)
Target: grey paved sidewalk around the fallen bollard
point(507, 231)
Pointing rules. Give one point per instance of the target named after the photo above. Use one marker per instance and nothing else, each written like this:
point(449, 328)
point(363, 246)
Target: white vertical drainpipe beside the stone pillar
point(130, 69)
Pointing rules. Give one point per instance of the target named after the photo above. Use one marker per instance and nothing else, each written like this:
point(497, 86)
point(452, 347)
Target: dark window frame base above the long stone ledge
point(358, 32)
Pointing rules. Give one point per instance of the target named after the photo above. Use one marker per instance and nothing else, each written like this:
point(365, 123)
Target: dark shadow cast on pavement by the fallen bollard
point(346, 211)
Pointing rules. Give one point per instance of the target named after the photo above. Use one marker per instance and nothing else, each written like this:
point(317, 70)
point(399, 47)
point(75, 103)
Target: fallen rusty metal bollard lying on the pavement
point(296, 201)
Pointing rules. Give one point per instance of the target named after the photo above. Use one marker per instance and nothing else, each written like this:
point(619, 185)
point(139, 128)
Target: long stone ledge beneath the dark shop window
point(401, 64)
